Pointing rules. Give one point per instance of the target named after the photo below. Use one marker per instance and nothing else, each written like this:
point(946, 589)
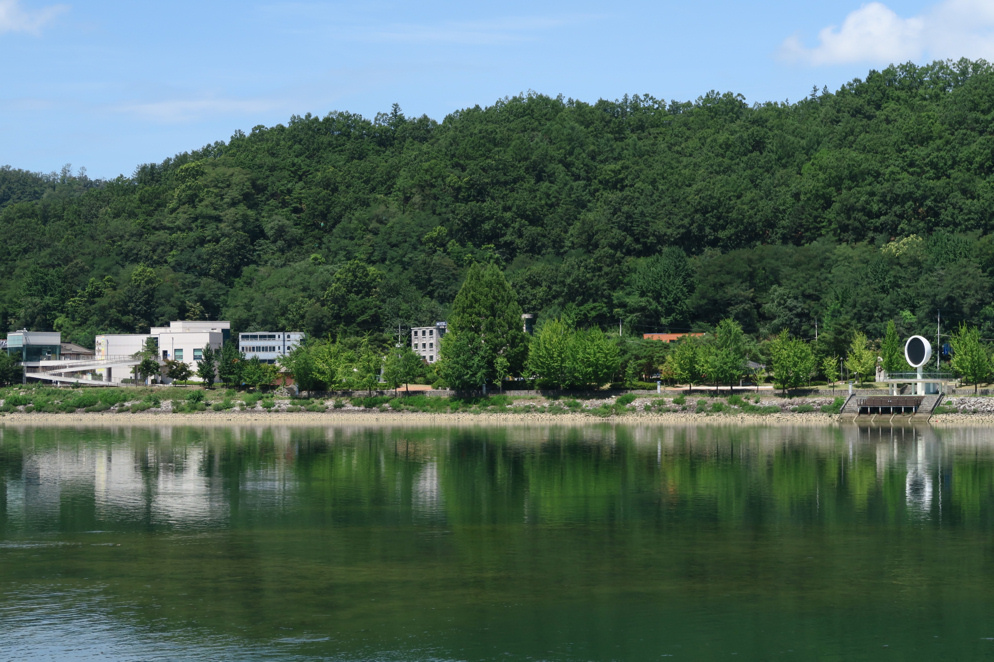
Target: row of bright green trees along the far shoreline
point(486, 345)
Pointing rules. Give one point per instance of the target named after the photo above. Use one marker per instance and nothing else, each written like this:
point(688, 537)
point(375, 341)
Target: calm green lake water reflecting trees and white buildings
point(545, 543)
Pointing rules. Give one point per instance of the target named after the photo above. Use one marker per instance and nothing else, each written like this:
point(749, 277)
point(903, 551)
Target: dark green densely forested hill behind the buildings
point(871, 203)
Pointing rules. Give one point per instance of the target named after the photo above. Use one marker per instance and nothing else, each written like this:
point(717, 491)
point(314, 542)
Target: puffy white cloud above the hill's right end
point(875, 34)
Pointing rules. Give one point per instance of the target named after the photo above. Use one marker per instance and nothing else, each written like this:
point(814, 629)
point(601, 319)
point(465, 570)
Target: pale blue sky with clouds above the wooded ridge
point(108, 85)
